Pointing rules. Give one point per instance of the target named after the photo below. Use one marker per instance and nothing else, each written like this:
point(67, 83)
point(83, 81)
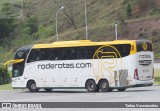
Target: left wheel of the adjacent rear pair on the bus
point(91, 86)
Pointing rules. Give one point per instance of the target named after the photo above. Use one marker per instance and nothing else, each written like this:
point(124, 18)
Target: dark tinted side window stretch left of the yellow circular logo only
point(62, 54)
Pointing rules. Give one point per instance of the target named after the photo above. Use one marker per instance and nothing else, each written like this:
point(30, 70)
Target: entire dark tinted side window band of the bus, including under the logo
point(78, 53)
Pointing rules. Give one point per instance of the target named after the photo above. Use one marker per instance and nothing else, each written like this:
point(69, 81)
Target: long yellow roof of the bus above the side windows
point(81, 43)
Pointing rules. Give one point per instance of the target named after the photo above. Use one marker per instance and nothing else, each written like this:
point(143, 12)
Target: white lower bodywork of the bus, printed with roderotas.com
point(119, 72)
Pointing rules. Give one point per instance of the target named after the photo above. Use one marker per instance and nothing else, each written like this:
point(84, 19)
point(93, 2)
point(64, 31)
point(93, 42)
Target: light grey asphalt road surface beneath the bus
point(141, 94)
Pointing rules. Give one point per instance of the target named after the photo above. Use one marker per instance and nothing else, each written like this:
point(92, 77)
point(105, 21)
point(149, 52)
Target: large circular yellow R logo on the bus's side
point(106, 61)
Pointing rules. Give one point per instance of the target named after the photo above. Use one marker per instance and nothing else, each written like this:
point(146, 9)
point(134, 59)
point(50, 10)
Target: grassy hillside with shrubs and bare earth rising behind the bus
point(137, 19)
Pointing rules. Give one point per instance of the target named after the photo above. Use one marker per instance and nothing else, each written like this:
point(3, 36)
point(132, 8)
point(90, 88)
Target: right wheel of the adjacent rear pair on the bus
point(104, 86)
